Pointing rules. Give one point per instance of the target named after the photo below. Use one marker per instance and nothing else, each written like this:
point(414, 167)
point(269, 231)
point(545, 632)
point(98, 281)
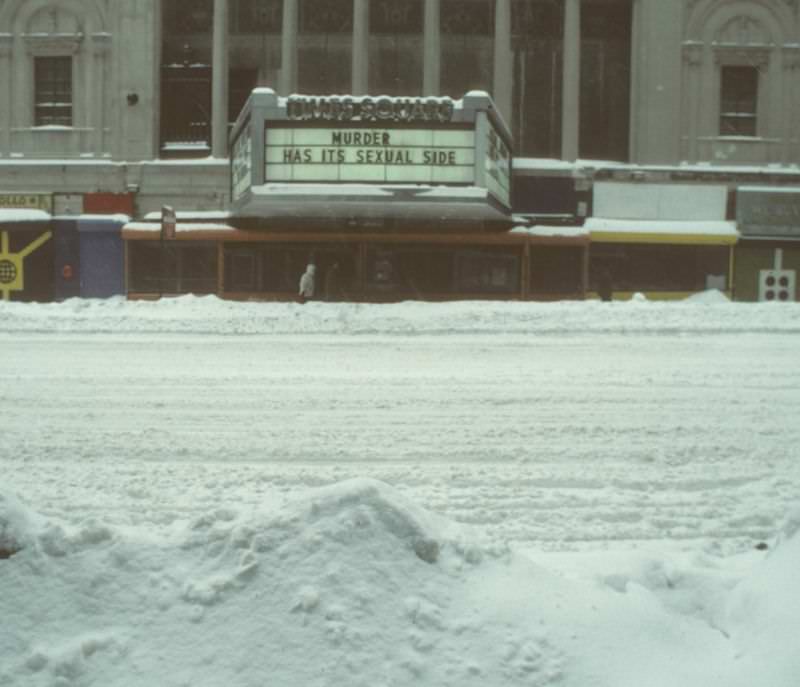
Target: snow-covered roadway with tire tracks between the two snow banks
point(544, 439)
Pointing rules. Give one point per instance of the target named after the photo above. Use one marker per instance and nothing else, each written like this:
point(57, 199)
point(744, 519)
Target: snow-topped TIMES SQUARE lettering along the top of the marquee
point(334, 108)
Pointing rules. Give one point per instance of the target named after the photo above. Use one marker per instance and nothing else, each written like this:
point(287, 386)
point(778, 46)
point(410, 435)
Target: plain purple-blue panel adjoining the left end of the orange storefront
point(102, 258)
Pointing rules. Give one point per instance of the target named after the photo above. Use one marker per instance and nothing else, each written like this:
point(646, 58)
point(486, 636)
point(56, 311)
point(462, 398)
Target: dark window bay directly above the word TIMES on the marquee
point(325, 46)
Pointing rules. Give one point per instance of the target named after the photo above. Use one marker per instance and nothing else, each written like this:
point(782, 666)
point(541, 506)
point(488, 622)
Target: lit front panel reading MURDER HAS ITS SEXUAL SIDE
point(367, 155)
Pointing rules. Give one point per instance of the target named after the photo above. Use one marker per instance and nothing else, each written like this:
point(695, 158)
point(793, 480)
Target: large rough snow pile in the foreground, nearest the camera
point(353, 584)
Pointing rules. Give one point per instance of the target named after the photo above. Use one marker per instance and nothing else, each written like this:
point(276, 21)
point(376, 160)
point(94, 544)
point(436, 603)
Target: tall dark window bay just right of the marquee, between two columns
point(537, 28)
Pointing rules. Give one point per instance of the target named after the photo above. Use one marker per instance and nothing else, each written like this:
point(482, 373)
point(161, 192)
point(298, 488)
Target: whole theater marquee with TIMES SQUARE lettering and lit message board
point(367, 158)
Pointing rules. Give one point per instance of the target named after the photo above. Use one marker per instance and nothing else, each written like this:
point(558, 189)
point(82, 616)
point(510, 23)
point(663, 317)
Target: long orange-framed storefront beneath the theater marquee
point(266, 265)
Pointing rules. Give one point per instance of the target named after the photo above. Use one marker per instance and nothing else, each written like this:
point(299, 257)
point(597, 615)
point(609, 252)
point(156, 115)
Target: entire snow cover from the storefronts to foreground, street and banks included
point(163, 456)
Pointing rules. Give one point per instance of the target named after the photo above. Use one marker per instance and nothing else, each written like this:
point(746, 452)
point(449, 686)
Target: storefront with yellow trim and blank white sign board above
point(666, 241)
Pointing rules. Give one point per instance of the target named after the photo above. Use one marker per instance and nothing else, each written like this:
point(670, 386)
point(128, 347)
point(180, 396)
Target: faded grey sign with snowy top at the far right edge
point(768, 212)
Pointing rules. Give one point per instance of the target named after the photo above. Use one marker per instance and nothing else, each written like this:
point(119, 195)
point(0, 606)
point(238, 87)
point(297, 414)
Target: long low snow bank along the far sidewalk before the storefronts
point(709, 312)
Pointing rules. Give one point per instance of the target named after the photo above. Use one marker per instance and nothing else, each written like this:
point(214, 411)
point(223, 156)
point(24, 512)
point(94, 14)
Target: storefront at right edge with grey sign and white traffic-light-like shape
point(768, 255)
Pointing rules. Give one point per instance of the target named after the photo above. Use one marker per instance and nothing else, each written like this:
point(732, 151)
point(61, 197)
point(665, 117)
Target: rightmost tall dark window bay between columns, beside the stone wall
point(605, 79)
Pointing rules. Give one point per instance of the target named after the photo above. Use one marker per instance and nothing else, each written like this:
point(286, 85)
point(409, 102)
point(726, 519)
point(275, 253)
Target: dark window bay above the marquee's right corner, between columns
point(467, 40)
